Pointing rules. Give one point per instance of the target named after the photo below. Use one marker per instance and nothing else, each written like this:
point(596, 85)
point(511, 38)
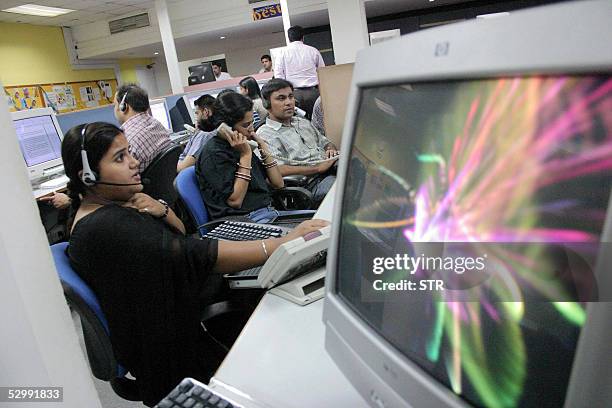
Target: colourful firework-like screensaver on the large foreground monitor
point(517, 168)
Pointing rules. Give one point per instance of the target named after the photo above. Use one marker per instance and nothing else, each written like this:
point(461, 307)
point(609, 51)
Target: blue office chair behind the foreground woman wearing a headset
point(100, 354)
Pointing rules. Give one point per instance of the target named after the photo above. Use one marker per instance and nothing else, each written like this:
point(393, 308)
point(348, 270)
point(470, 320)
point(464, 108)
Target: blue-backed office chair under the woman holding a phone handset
point(186, 185)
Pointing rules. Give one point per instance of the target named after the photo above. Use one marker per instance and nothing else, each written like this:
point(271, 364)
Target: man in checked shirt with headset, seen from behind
point(145, 134)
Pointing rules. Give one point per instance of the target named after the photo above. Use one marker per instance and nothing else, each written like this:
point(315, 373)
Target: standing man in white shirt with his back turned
point(298, 64)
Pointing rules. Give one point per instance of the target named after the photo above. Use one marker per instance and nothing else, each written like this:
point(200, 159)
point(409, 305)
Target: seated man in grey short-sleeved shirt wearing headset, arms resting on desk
point(296, 141)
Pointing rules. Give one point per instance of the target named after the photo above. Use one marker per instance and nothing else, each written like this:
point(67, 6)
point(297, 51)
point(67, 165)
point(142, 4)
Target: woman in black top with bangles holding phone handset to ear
point(232, 179)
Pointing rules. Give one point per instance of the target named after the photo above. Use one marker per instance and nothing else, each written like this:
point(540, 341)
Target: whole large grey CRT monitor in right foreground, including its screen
point(469, 263)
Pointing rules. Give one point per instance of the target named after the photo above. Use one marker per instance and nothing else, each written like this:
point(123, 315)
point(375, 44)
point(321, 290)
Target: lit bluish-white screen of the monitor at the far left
point(38, 140)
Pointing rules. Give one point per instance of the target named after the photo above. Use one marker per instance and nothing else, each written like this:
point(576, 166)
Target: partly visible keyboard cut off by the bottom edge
point(191, 393)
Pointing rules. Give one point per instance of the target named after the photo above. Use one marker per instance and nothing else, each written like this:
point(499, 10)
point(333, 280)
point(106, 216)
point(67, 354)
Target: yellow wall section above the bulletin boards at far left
point(32, 54)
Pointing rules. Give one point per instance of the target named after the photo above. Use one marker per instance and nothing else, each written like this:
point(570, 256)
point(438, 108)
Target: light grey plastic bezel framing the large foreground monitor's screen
point(529, 42)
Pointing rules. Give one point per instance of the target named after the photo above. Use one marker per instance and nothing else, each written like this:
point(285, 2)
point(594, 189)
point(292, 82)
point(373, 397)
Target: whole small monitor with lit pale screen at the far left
point(40, 140)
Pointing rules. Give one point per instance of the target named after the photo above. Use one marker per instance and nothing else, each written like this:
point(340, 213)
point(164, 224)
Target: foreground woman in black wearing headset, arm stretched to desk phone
point(147, 275)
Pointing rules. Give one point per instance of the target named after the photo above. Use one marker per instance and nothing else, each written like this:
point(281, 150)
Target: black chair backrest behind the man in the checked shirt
point(161, 173)
